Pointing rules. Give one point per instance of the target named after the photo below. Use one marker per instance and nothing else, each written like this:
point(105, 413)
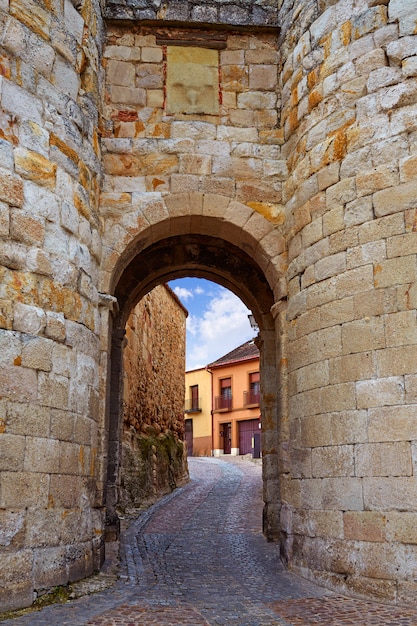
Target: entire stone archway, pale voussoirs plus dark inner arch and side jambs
point(207, 236)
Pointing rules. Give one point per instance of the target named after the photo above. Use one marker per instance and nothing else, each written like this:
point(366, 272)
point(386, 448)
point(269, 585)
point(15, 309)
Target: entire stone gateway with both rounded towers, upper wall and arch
point(269, 145)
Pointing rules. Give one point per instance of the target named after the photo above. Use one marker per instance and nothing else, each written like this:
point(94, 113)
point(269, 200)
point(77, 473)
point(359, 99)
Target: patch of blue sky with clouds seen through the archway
point(217, 320)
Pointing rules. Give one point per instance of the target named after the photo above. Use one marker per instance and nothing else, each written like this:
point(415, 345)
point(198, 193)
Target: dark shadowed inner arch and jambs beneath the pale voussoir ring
point(215, 259)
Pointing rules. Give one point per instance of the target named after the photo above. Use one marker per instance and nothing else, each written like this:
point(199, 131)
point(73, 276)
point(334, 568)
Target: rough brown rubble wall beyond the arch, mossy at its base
point(153, 452)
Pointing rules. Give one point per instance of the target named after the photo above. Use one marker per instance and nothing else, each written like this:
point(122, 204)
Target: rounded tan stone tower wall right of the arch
point(349, 94)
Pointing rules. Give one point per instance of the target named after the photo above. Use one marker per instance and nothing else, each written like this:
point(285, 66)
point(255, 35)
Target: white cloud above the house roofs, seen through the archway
point(220, 328)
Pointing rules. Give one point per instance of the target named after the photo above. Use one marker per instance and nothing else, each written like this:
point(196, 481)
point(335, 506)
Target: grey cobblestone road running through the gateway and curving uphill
point(198, 558)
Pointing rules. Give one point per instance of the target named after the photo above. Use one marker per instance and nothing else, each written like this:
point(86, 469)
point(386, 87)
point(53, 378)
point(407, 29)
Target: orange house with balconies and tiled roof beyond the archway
point(235, 402)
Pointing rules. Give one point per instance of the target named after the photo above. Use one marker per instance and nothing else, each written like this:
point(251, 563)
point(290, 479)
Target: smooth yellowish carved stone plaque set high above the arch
point(192, 80)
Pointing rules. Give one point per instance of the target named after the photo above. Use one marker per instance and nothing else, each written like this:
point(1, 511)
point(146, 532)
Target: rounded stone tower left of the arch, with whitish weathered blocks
point(51, 518)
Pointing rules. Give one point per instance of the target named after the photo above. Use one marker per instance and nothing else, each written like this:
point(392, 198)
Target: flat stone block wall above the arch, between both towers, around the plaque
point(232, 151)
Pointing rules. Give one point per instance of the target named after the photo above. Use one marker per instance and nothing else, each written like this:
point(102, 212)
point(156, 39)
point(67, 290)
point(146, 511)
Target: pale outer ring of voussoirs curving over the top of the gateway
point(150, 219)
